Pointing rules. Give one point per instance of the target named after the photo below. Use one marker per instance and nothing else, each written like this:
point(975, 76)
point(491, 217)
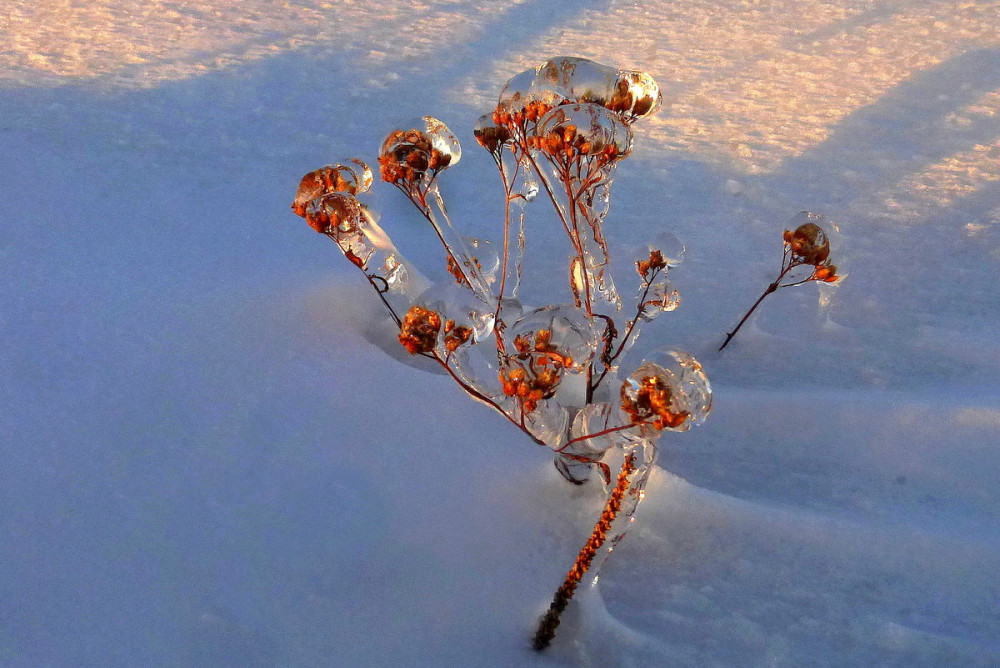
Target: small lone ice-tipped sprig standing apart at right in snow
point(806, 258)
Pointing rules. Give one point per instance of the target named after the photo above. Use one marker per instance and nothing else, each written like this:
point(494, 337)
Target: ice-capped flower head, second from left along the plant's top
point(418, 154)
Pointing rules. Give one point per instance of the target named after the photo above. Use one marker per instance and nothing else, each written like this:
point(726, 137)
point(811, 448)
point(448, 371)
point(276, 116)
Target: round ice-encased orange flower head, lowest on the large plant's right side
point(672, 396)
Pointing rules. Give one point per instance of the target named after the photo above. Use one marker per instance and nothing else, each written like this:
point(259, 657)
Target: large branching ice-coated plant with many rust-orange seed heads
point(549, 369)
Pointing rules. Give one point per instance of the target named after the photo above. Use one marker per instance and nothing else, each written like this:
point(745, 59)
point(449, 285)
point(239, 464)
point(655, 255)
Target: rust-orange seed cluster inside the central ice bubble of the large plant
point(534, 372)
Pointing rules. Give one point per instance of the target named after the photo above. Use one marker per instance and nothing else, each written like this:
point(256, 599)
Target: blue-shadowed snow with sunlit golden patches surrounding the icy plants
point(209, 460)
